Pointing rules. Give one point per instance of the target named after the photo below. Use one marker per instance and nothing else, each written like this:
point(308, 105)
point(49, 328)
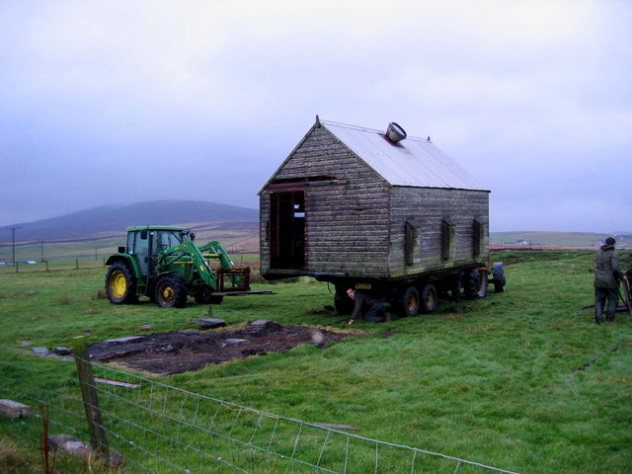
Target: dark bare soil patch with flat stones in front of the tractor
point(188, 350)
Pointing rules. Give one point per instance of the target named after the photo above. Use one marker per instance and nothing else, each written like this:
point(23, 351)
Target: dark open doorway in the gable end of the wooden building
point(287, 230)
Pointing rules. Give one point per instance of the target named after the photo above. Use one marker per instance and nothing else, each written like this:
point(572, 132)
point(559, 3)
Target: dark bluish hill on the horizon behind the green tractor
point(111, 220)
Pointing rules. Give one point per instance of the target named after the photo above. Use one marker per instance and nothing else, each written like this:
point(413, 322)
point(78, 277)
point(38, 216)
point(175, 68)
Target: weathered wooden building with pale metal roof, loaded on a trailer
point(371, 209)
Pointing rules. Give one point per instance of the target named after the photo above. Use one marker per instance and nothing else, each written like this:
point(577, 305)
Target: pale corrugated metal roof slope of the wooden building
point(413, 161)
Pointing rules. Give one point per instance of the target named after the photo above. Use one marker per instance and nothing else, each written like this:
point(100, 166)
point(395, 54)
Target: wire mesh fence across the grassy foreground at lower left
point(154, 427)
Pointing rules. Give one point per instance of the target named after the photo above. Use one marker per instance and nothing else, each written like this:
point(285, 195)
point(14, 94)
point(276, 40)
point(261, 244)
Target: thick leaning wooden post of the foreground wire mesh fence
point(90, 398)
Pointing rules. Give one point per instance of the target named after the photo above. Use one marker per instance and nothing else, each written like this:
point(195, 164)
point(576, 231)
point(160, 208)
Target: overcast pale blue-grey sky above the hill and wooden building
point(117, 102)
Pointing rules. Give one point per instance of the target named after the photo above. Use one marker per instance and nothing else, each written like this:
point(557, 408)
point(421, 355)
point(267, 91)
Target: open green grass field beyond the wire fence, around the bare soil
point(521, 380)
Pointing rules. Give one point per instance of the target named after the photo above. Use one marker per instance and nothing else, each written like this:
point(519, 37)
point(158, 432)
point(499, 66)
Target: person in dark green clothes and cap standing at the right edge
point(607, 275)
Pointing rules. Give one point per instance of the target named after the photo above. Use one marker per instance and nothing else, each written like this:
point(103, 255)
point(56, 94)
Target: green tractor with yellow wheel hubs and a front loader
point(164, 264)
